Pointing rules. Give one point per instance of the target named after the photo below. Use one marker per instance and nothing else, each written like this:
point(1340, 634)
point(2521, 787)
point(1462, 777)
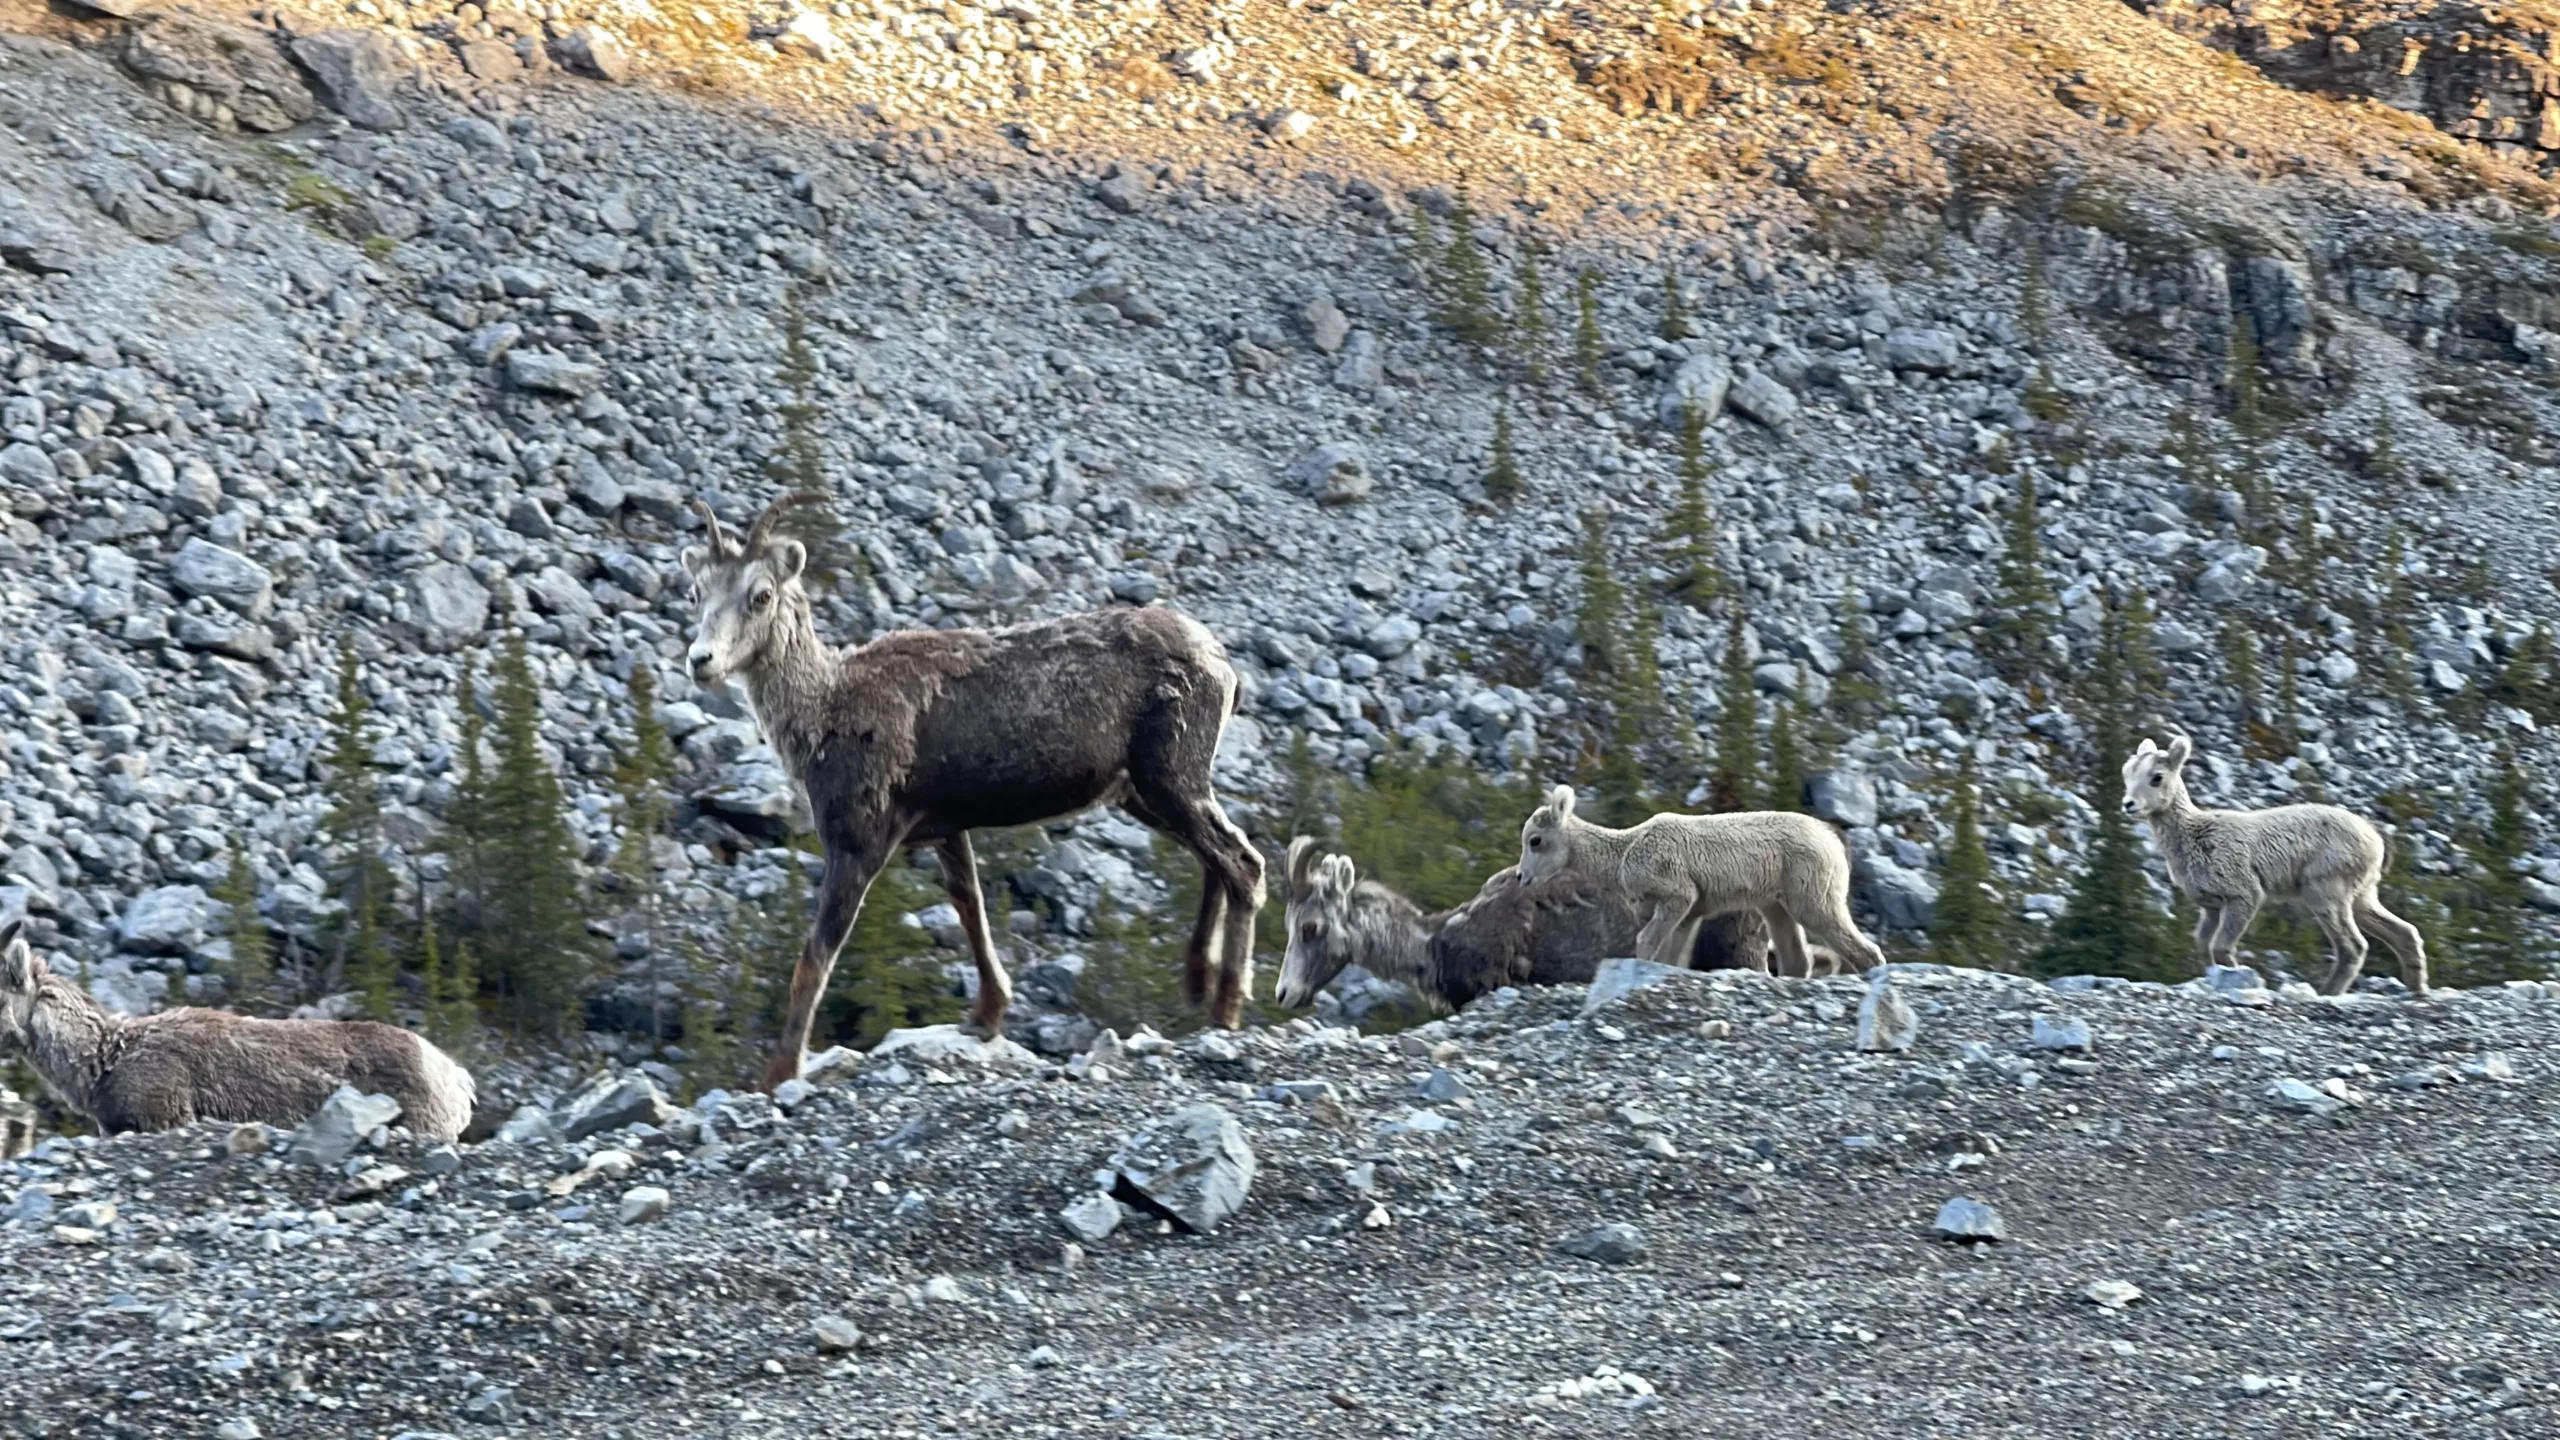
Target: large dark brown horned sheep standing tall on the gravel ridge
point(923, 737)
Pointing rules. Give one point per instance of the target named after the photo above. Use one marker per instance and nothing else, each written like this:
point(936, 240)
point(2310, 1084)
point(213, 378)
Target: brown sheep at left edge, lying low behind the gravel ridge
point(168, 1070)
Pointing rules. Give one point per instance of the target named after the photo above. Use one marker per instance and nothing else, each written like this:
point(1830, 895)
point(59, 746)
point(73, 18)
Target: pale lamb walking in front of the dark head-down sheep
point(1686, 870)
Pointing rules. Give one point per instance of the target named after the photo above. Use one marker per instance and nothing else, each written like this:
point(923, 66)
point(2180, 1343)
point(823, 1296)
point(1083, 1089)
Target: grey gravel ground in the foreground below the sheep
point(1668, 1206)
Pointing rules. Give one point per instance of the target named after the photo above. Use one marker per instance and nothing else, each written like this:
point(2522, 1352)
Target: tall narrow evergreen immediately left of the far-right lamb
point(2113, 926)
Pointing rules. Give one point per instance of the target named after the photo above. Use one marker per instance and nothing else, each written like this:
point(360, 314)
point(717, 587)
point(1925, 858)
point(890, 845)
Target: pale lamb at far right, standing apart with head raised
point(2231, 862)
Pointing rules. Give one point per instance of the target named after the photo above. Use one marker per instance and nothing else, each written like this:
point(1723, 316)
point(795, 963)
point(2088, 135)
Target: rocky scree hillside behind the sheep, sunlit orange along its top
point(447, 350)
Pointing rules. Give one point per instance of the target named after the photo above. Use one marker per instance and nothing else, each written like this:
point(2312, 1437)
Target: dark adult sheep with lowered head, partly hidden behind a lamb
point(1512, 931)
